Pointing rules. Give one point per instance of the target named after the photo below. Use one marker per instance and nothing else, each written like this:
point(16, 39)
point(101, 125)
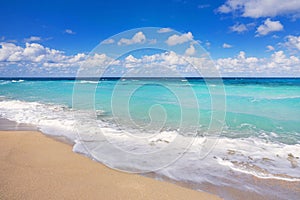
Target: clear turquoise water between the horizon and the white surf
point(253, 106)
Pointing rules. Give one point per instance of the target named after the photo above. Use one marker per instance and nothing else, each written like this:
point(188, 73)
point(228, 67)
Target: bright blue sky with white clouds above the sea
point(243, 38)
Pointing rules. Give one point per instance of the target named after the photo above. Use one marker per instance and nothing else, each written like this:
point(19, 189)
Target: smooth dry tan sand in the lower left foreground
point(34, 166)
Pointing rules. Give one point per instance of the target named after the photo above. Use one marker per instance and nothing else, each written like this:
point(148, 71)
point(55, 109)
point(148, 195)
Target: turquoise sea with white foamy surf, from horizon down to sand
point(242, 133)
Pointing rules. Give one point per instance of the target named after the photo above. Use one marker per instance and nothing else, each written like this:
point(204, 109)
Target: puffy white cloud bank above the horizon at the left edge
point(35, 58)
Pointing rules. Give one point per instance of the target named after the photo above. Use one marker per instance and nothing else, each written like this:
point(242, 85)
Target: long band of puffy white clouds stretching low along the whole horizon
point(35, 56)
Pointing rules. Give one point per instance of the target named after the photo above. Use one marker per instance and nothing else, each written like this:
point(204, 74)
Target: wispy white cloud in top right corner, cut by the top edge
point(261, 8)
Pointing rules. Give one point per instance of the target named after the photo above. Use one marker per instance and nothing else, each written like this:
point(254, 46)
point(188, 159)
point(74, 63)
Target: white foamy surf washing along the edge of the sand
point(251, 156)
